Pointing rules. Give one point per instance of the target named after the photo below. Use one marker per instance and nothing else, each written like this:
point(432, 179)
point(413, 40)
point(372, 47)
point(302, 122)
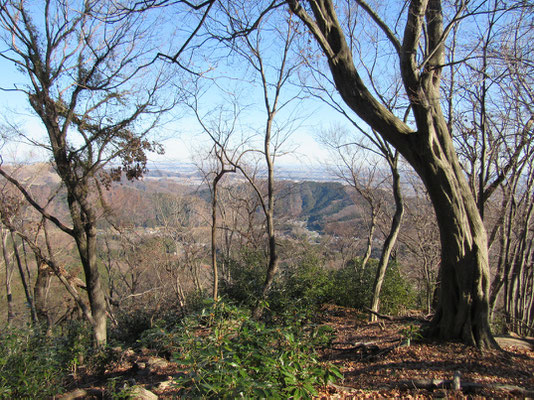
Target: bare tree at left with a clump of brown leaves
point(84, 85)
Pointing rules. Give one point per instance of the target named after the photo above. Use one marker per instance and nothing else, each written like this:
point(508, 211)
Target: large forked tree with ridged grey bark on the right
point(463, 308)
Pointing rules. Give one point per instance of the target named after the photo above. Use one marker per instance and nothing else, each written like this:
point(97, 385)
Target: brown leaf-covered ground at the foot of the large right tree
point(375, 365)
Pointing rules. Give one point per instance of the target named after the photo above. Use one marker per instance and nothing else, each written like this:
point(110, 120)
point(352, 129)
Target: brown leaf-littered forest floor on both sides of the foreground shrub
point(376, 363)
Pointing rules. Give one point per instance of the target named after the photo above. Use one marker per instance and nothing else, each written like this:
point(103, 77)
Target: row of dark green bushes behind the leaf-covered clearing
point(307, 285)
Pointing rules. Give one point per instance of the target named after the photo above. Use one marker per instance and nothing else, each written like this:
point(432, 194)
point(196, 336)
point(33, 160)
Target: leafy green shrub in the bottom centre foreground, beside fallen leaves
point(229, 355)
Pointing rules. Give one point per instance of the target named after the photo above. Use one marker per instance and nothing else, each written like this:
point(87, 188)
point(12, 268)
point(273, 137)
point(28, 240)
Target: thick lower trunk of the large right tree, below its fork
point(463, 308)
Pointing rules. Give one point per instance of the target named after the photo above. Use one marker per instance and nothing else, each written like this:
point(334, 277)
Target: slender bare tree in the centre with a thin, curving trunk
point(270, 78)
